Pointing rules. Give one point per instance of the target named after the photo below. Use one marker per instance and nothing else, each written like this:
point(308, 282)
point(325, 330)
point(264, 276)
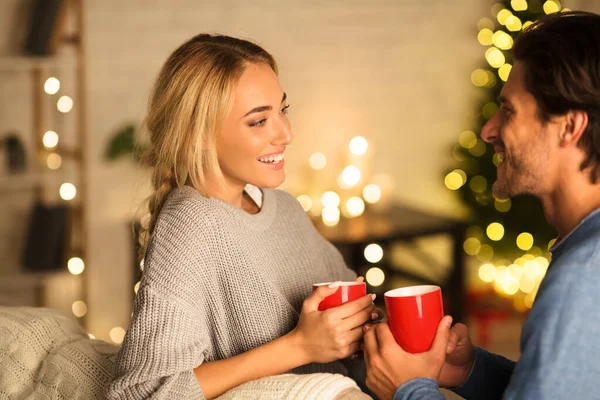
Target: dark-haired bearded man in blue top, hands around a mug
point(547, 133)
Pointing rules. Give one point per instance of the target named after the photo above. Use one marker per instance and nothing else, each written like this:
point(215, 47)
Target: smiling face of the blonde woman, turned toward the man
point(255, 134)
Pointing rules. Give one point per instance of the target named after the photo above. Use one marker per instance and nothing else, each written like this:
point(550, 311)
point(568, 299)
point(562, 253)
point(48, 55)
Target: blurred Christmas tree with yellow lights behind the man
point(502, 230)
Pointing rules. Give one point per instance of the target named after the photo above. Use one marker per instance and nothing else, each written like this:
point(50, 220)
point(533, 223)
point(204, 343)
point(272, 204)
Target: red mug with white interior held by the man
point(414, 313)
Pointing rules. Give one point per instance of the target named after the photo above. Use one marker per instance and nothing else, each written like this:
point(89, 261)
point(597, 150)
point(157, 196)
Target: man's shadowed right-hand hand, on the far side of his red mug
point(459, 359)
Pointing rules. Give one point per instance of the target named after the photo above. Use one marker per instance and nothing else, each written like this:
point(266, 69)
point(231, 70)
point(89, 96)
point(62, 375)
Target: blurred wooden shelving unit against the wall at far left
point(71, 61)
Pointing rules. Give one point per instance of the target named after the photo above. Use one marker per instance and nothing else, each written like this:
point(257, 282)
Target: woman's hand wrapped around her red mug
point(333, 334)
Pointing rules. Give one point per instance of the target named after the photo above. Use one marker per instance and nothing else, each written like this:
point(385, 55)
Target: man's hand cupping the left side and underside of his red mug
point(389, 366)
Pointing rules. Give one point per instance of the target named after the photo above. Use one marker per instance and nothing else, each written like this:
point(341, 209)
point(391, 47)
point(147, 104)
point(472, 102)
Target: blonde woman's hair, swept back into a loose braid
point(192, 95)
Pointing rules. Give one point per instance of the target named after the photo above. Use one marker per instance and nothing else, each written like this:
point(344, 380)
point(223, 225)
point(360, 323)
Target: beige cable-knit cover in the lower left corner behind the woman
point(45, 354)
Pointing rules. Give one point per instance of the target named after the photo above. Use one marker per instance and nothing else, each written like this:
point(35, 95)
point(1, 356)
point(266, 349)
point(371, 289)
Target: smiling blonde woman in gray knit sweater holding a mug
point(225, 296)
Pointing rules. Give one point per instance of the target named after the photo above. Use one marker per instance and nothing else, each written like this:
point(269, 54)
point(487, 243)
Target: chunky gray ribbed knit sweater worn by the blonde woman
point(218, 282)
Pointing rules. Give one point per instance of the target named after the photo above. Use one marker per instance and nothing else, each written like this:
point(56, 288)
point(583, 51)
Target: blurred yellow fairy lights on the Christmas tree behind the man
point(520, 277)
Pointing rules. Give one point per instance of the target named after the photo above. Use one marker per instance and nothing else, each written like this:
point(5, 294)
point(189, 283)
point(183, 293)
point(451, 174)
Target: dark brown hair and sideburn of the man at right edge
point(561, 55)
